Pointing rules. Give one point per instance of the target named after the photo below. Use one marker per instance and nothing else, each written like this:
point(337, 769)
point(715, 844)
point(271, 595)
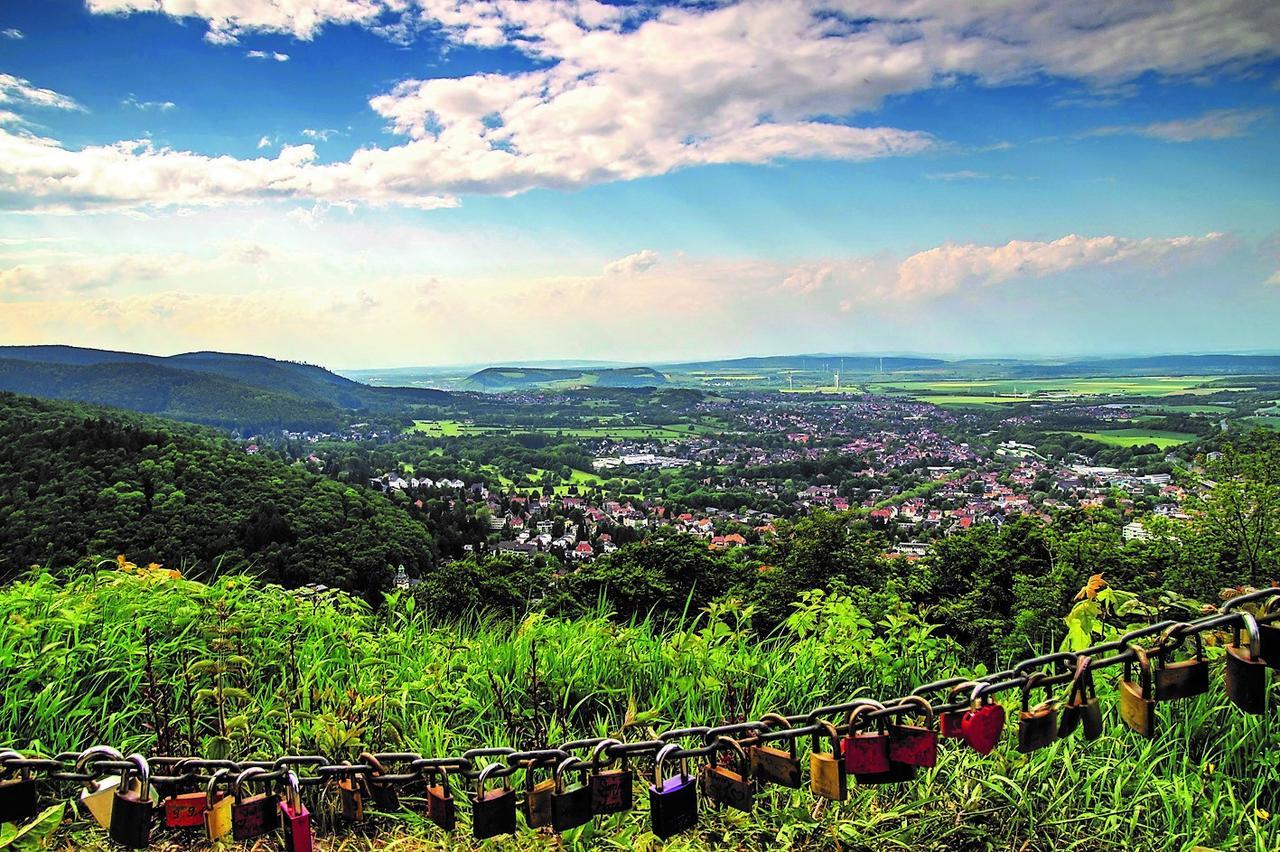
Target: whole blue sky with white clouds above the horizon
point(374, 184)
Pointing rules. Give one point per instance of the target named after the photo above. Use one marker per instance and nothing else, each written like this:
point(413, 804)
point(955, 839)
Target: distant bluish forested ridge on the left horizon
point(252, 393)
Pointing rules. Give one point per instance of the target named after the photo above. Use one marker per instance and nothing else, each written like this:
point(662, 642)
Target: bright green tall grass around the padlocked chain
point(130, 656)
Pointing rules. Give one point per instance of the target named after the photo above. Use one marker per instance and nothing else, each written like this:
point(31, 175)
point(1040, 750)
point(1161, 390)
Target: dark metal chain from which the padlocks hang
point(417, 768)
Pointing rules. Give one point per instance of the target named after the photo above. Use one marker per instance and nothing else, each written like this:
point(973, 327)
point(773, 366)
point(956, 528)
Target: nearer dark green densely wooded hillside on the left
point(80, 482)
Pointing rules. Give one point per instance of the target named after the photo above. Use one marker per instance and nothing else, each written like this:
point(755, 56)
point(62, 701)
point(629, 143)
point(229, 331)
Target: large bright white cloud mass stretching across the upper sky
point(625, 93)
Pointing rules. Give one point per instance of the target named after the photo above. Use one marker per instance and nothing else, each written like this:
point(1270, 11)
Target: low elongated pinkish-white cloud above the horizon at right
point(952, 267)
